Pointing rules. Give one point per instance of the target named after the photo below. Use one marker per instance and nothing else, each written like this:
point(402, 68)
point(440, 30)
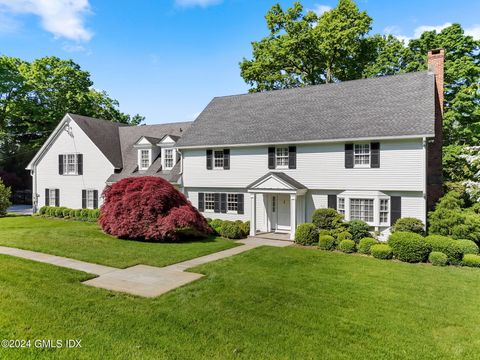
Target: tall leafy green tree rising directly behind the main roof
point(306, 49)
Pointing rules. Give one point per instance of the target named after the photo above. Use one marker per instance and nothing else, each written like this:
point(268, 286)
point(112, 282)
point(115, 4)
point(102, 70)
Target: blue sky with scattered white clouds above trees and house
point(166, 59)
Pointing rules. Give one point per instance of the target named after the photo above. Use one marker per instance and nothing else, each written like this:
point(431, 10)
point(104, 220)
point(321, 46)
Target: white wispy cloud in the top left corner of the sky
point(62, 18)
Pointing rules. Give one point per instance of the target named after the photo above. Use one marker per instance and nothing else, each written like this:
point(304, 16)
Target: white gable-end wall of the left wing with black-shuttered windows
point(70, 170)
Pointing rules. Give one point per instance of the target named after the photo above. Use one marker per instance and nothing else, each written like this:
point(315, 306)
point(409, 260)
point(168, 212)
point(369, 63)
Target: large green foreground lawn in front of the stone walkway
point(267, 303)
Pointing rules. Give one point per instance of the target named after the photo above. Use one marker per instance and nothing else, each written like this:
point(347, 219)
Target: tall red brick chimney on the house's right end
point(435, 61)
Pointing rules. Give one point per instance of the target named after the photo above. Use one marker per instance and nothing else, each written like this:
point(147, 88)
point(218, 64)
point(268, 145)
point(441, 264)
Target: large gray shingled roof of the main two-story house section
point(399, 105)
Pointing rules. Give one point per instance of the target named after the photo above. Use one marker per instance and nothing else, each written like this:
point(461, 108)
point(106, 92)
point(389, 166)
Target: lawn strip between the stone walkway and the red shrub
point(85, 241)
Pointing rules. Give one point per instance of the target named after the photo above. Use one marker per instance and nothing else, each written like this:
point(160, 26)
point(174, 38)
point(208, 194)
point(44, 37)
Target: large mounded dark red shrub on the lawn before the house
point(149, 208)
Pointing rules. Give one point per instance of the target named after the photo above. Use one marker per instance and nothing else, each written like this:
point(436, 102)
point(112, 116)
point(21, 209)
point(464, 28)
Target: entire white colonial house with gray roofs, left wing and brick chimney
point(369, 148)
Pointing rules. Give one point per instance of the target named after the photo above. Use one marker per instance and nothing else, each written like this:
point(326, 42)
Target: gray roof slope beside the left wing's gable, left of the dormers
point(104, 134)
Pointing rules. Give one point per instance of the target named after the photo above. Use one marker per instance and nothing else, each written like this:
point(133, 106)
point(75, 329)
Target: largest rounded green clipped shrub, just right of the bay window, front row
point(409, 247)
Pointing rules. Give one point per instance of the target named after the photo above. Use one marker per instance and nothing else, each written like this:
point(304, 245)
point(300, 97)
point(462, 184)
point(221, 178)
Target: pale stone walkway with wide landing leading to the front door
point(142, 280)
